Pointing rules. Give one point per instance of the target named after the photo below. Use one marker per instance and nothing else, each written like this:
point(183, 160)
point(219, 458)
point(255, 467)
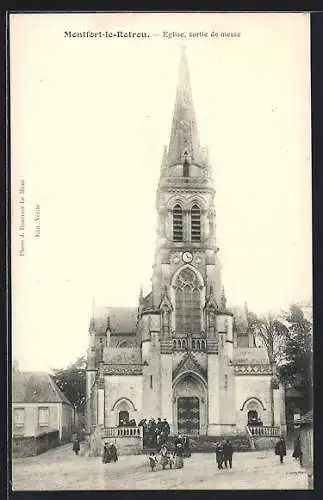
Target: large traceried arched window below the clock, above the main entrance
point(187, 302)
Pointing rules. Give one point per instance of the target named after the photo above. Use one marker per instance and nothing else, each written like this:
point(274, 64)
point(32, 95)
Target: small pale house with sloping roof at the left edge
point(42, 417)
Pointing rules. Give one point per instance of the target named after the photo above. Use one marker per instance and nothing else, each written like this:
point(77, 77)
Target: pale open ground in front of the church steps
point(60, 469)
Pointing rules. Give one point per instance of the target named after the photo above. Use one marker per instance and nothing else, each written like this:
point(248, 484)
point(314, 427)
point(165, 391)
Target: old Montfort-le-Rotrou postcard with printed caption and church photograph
point(161, 251)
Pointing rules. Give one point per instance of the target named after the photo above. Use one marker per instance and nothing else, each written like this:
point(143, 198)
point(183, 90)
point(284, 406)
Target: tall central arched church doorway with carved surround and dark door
point(189, 405)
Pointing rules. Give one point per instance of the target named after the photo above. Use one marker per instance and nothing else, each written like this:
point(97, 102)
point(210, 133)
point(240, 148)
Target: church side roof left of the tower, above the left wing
point(123, 320)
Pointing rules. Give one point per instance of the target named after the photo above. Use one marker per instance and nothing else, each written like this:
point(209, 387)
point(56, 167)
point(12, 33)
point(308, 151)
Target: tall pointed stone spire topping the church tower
point(184, 140)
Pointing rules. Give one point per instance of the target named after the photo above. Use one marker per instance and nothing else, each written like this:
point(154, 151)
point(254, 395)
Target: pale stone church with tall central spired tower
point(181, 353)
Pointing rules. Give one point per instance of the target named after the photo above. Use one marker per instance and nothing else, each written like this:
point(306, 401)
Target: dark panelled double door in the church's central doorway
point(188, 415)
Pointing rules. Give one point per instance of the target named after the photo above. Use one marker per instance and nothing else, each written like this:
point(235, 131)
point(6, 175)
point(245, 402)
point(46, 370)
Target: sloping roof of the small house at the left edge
point(36, 387)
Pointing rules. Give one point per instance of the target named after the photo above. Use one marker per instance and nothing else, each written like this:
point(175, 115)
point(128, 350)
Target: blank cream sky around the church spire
point(89, 120)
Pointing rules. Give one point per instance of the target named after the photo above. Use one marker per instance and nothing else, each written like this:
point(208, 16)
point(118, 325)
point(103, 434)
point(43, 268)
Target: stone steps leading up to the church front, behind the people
point(206, 444)
